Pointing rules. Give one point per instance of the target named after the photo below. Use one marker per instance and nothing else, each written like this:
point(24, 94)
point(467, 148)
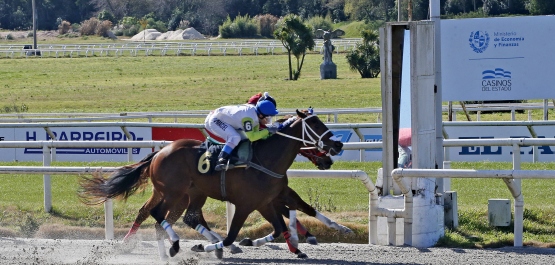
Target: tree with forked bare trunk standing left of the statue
point(296, 37)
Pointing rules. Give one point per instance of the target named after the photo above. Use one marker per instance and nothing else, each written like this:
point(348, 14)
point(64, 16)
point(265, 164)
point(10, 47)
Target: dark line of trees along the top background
point(207, 15)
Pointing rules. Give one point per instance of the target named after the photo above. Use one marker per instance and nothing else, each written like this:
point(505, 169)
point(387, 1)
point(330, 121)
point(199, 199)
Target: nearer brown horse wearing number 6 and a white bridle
point(174, 173)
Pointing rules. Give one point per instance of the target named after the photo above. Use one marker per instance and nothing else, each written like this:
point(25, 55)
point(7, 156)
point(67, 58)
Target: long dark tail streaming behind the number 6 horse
point(121, 184)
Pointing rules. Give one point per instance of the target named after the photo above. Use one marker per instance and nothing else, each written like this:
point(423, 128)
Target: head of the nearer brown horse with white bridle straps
point(316, 134)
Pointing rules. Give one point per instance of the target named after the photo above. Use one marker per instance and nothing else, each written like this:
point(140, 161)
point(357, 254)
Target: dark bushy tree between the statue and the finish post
point(365, 57)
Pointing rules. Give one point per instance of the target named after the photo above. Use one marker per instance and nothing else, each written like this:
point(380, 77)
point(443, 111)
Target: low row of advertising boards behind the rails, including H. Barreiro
point(469, 153)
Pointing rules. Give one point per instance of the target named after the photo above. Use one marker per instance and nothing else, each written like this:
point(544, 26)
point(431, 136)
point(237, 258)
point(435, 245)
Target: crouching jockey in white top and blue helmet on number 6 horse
point(235, 123)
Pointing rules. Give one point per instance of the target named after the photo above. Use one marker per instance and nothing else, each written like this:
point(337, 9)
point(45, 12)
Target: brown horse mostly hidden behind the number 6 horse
point(318, 158)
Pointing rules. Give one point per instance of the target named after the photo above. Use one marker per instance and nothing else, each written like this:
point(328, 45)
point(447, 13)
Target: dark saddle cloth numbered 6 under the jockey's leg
point(210, 149)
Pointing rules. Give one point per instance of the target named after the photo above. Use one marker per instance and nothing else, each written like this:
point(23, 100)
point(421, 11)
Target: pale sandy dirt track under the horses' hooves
point(50, 251)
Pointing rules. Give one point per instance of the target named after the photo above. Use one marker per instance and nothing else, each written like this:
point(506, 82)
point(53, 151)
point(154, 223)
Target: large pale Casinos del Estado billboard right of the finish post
point(498, 58)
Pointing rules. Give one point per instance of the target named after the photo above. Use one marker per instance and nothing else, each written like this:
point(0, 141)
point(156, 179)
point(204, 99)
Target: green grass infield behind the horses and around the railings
point(170, 83)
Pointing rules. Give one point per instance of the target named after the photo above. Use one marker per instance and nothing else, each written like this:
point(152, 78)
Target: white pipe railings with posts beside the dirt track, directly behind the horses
point(398, 174)
